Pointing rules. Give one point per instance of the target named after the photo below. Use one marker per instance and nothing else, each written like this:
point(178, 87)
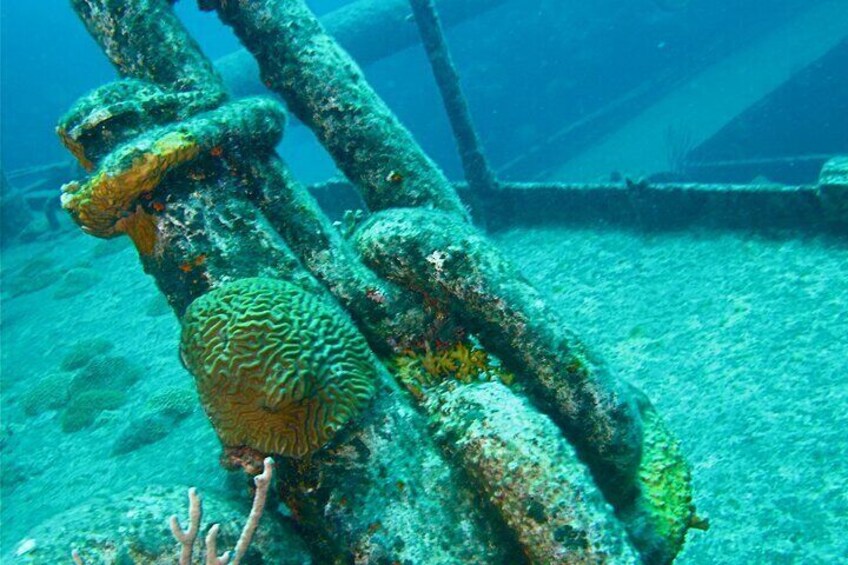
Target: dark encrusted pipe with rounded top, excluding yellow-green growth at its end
point(454, 264)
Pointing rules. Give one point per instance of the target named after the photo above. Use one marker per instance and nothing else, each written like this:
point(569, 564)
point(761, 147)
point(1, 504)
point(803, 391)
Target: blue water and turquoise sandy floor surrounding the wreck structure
point(737, 332)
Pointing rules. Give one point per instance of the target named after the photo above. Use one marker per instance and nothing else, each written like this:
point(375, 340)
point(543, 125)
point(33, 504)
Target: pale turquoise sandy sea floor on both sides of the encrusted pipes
point(740, 341)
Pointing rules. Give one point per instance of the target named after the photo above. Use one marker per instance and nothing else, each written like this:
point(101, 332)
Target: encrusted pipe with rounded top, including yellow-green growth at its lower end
point(634, 460)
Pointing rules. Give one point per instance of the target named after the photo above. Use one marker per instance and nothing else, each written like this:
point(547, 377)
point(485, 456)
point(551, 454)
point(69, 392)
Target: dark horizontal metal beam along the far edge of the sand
point(636, 204)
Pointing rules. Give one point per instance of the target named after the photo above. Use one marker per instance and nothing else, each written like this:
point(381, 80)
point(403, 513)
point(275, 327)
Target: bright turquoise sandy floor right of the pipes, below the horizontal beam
point(742, 344)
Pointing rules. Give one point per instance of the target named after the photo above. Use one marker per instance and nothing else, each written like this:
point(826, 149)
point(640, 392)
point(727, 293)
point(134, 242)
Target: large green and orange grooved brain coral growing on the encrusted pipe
point(277, 368)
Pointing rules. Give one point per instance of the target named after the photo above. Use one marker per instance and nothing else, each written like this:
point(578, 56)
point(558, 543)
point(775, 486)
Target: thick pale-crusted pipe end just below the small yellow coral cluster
point(529, 473)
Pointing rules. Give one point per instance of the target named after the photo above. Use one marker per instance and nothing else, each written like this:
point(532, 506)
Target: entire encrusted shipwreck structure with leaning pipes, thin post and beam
point(423, 402)
